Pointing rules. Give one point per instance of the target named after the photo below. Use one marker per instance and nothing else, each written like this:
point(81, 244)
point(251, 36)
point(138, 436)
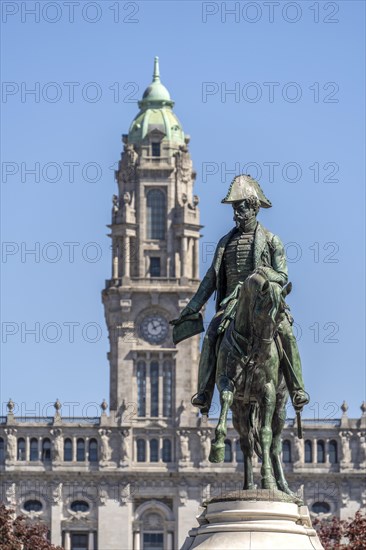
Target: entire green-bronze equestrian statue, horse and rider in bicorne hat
point(254, 373)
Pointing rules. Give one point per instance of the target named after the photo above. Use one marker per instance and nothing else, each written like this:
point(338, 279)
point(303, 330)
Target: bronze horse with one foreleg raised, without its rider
point(251, 383)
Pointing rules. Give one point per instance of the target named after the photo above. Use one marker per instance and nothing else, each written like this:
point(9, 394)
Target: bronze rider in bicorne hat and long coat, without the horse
point(246, 248)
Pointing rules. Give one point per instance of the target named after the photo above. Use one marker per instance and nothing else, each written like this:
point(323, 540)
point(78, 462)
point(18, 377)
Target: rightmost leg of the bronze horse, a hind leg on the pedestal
point(278, 423)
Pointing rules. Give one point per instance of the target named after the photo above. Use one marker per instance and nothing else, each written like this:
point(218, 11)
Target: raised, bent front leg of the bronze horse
point(226, 387)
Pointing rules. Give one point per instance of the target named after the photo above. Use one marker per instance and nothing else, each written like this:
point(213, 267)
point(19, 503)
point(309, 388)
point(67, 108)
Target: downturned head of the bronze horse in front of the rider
point(264, 302)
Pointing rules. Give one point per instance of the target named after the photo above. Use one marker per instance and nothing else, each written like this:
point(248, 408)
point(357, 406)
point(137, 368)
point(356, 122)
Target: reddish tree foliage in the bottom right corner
point(336, 534)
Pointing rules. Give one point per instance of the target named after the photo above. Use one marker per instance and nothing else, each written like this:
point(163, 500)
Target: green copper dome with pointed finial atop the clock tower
point(156, 113)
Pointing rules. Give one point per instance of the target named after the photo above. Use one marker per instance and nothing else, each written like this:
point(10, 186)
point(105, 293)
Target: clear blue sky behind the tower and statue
point(298, 112)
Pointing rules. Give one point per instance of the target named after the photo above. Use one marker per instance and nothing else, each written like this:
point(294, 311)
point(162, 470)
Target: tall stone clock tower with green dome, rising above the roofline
point(155, 268)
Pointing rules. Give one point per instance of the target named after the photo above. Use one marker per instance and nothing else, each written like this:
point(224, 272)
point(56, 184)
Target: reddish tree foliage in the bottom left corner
point(16, 533)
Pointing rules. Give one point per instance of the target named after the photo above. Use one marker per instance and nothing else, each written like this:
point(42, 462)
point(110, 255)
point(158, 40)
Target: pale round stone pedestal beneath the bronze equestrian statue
point(258, 519)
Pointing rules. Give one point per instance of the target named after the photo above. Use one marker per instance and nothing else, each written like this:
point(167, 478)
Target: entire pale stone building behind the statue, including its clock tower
point(133, 479)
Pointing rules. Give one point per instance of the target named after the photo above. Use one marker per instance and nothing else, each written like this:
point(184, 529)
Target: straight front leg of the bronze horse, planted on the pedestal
point(265, 434)
